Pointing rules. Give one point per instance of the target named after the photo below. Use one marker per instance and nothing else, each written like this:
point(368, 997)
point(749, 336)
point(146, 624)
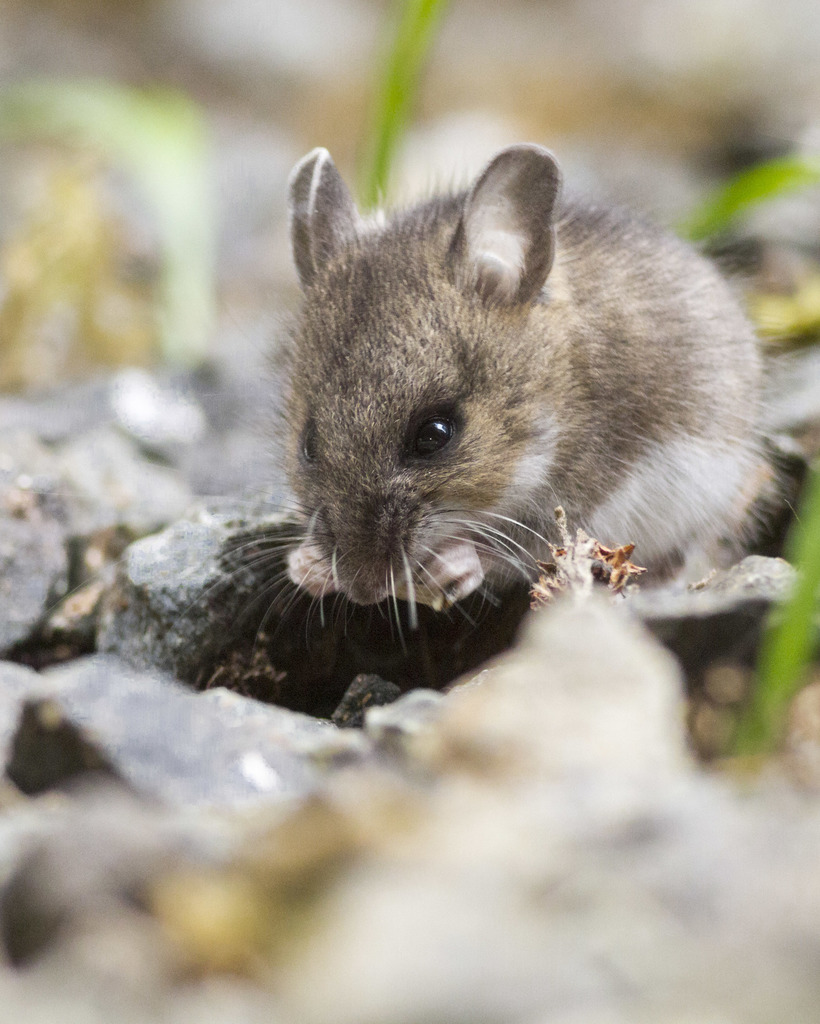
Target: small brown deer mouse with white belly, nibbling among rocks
point(462, 367)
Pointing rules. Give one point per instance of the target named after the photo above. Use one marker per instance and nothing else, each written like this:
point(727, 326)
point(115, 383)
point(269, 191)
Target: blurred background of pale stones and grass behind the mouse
point(145, 149)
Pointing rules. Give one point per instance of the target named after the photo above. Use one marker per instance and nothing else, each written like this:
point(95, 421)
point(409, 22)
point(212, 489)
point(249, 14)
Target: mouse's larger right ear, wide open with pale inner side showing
point(505, 243)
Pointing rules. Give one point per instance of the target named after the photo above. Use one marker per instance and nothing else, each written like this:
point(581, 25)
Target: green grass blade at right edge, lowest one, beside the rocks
point(790, 638)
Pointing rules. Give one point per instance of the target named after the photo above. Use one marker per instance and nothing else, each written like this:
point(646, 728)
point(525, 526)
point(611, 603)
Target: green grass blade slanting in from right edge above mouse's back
point(759, 184)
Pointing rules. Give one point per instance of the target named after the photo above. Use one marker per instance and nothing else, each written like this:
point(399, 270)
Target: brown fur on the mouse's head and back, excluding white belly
point(634, 342)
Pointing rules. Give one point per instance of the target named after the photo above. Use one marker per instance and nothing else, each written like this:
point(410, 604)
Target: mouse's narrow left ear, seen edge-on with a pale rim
point(324, 217)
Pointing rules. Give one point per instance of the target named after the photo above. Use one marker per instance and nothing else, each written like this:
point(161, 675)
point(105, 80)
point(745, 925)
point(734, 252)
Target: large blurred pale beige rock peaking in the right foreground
point(574, 858)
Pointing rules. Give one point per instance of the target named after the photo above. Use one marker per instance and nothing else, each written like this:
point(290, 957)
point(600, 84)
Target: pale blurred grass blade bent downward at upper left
point(159, 137)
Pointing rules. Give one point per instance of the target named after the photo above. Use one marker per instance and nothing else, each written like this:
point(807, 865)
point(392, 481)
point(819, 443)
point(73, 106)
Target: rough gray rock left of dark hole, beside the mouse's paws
point(196, 601)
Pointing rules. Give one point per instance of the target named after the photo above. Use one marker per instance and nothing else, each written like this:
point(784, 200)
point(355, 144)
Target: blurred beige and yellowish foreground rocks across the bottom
point(536, 845)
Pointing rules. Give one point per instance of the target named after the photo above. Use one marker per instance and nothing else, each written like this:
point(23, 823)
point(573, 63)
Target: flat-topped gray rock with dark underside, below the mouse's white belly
point(719, 620)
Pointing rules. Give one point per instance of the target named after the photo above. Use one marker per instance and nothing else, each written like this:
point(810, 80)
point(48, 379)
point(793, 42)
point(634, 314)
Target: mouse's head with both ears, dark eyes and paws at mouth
point(411, 407)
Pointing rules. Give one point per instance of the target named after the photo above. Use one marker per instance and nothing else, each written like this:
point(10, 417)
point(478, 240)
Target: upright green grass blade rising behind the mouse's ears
point(417, 29)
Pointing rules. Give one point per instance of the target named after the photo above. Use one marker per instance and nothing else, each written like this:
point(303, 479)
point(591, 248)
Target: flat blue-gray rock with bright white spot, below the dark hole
point(172, 744)
